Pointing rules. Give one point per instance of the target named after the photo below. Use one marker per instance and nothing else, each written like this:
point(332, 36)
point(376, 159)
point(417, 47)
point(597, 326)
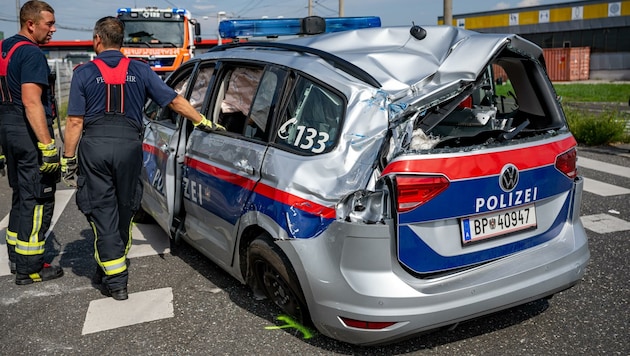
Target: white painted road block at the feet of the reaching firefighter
point(107, 313)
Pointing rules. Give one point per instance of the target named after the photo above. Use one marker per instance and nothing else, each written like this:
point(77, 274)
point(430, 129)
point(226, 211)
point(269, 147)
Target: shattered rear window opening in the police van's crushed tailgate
point(512, 99)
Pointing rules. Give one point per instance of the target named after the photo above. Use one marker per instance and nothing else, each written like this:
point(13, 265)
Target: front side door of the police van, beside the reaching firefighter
point(164, 144)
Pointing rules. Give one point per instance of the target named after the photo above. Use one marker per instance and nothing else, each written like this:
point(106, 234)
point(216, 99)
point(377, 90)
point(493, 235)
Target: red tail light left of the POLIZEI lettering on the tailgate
point(414, 191)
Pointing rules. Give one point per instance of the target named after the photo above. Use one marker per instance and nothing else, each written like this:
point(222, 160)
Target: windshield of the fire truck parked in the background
point(154, 33)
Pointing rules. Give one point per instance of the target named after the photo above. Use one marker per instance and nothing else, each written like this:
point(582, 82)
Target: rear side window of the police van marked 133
point(310, 123)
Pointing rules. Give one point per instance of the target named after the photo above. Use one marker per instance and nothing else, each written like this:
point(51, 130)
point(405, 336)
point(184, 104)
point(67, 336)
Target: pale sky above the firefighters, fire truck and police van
point(75, 18)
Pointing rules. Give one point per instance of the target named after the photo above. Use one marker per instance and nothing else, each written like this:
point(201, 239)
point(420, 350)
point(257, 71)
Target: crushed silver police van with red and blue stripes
point(375, 183)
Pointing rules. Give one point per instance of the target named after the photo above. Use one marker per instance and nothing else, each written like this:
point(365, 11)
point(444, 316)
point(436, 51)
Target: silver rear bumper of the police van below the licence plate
point(351, 271)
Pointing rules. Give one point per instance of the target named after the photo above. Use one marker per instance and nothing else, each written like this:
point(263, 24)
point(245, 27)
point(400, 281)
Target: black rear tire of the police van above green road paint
point(272, 274)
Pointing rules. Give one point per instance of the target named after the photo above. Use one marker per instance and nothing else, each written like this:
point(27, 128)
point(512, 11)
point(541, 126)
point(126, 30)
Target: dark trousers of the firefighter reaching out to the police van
point(109, 190)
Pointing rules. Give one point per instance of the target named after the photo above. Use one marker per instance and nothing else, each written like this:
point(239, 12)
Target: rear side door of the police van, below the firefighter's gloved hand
point(222, 168)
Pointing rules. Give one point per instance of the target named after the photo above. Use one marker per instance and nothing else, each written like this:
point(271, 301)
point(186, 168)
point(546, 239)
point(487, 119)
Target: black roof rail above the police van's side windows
point(336, 61)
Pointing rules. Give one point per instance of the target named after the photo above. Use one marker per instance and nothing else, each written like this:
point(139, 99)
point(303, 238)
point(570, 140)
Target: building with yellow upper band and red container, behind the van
point(601, 27)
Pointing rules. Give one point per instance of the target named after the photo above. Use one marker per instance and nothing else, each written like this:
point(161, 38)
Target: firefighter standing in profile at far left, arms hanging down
point(26, 134)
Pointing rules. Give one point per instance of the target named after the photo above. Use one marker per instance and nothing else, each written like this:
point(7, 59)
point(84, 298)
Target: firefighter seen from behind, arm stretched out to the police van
point(107, 96)
